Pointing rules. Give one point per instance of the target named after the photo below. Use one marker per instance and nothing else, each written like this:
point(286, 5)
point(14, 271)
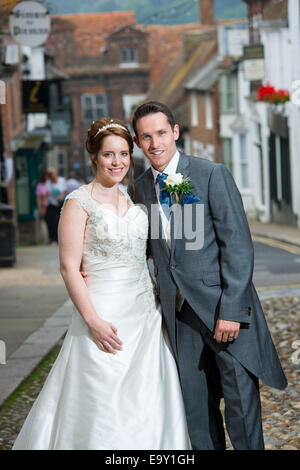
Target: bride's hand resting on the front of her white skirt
point(105, 336)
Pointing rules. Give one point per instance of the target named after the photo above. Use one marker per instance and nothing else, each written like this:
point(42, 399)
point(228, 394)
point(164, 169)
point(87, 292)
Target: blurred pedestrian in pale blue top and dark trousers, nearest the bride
point(56, 187)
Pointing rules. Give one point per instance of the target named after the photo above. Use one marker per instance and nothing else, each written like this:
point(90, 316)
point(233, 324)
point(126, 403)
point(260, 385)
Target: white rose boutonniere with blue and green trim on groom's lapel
point(180, 187)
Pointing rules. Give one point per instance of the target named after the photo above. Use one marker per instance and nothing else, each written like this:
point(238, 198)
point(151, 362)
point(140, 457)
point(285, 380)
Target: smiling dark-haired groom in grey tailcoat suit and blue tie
point(210, 307)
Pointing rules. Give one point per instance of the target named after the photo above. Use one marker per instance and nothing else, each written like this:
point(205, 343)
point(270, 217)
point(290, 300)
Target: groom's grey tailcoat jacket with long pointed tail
point(216, 278)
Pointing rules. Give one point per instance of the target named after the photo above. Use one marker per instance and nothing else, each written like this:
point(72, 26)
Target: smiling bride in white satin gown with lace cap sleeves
point(114, 384)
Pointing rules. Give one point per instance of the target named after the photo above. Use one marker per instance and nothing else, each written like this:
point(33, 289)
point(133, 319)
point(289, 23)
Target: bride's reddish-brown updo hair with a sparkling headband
point(102, 128)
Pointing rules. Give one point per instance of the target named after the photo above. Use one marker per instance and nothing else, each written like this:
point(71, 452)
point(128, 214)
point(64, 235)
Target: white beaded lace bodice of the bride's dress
point(111, 238)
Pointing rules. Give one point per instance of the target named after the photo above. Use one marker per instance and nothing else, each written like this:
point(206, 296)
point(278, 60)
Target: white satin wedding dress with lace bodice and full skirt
point(93, 400)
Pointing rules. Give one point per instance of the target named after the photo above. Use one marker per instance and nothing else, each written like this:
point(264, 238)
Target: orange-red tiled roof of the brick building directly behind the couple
point(78, 40)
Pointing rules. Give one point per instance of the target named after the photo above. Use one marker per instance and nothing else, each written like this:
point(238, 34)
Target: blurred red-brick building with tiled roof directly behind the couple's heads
point(111, 62)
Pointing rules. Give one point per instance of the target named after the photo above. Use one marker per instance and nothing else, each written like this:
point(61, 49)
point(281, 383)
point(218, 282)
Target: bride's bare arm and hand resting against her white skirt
point(71, 236)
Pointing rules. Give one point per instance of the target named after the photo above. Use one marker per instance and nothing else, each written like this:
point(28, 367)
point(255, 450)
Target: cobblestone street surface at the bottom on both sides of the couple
point(281, 409)
